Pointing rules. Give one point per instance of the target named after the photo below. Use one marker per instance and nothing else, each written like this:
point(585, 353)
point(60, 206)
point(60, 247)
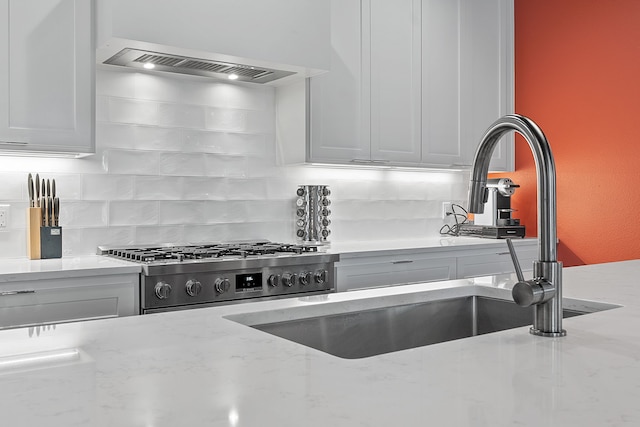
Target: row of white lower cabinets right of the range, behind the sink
point(360, 271)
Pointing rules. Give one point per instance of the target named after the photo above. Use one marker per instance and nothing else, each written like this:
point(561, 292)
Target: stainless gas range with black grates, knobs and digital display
point(177, 277)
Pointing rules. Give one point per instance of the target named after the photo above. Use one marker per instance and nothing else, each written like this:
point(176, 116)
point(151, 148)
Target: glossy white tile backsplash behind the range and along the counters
point(194, 160)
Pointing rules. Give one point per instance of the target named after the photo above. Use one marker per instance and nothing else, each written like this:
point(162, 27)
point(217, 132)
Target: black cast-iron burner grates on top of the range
point(208, 251)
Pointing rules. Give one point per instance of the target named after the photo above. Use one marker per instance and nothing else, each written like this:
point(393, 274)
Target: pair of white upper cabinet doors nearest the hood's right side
point(366, 110)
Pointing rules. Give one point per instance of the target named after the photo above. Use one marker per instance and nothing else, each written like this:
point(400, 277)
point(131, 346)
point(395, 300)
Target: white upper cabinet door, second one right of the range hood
point(392, 60)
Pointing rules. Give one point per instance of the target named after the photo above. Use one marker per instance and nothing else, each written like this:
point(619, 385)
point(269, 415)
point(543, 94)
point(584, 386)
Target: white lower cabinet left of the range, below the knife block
point(31, 303)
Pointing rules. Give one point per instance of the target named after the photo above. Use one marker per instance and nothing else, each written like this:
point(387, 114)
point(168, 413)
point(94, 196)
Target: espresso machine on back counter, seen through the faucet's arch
point(496, 222)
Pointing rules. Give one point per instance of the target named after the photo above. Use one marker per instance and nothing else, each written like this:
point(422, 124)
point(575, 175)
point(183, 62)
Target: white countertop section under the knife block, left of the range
point(20, 269)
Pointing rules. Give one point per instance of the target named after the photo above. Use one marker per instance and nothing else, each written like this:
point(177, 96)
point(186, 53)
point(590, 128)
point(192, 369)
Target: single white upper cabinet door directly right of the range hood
point(338, 114)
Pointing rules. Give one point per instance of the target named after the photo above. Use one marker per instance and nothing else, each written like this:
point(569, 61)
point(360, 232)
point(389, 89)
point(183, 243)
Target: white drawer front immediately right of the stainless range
point(390, 272)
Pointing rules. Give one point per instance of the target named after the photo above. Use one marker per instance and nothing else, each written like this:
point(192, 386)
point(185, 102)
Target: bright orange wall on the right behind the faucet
point(578, 76)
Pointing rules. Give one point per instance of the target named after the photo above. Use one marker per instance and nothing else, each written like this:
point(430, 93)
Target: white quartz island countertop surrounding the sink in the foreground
point(197, 368)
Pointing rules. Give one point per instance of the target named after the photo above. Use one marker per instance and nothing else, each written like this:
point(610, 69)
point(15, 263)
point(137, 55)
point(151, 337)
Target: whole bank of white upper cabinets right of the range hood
point(414, 83)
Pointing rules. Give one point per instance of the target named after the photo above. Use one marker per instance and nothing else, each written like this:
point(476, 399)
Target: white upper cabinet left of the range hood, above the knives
point(47, 83)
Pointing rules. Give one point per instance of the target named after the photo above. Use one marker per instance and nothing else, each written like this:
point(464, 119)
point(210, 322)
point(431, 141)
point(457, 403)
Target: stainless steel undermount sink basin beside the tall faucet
point(358, 334)
